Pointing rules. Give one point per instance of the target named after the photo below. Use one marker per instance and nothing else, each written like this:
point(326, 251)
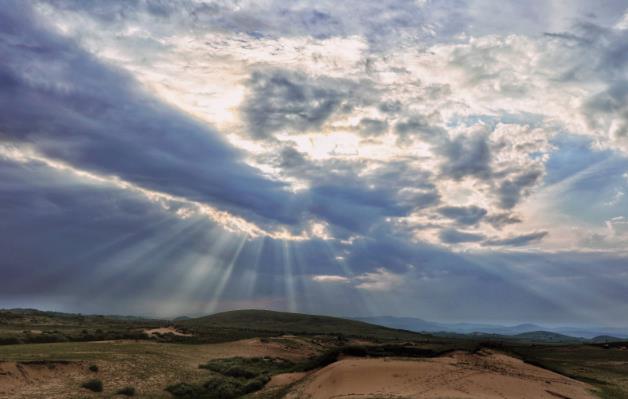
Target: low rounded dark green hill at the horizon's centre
point(294, 323)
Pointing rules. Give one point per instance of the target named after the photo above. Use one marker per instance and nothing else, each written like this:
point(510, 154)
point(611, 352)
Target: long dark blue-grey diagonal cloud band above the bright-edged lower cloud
point(68, 106)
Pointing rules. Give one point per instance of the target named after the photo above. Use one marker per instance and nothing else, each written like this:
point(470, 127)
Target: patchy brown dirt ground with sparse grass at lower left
point(147, 366)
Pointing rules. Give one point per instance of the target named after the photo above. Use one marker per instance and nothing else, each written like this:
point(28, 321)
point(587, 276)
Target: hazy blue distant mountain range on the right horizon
point(421, 325)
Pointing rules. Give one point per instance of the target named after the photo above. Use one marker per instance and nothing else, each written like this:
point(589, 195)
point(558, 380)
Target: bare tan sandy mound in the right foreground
point(458, 375)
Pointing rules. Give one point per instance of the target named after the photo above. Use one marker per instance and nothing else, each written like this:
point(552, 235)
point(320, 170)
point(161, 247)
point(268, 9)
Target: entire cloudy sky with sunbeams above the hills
point(449, 160)
